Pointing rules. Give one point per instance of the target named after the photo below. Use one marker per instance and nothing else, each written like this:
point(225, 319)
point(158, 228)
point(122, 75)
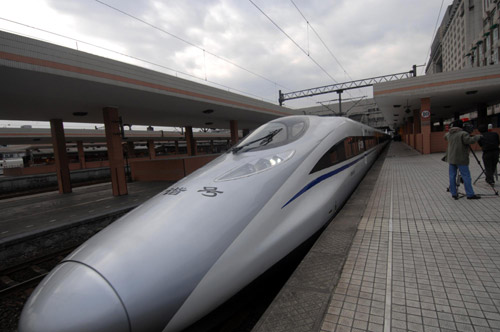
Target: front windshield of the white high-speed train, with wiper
point(273, 134)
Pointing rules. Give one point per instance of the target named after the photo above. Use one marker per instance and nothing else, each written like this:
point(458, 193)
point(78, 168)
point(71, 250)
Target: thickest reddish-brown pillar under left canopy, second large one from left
point(115, 151)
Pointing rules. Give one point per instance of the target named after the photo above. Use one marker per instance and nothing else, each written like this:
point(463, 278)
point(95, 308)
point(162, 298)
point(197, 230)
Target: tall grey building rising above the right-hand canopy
point(467, 37)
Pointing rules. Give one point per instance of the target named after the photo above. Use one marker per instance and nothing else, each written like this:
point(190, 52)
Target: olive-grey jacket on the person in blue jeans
point(458, 146)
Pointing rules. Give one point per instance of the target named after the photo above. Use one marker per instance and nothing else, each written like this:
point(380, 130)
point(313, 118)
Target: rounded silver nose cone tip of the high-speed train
point(74, 298)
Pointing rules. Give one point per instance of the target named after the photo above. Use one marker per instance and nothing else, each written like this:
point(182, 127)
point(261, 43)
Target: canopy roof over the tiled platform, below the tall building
point(461, 92)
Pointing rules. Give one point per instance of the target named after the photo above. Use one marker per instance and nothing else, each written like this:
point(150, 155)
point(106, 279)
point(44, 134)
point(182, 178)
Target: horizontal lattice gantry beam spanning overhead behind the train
point(340, 87)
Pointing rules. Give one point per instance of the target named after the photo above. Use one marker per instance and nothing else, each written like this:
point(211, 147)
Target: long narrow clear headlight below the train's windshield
point(256, 166)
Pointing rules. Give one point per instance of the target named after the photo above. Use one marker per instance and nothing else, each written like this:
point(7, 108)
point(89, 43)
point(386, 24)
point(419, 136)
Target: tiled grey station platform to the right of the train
point(402, 255)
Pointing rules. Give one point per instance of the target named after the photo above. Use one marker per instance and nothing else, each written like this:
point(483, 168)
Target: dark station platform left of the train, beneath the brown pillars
point(29, 216)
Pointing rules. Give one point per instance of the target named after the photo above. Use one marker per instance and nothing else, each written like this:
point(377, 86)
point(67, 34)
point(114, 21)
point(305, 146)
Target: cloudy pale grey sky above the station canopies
point(250, 47)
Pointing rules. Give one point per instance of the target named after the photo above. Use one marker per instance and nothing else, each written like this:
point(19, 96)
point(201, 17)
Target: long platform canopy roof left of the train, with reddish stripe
point(42, 81)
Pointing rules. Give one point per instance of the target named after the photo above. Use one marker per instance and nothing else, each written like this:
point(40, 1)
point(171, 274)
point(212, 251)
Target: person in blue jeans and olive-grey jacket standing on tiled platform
point(457, 155)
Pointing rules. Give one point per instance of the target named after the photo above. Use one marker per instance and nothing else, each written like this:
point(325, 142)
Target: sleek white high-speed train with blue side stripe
point(178, 256)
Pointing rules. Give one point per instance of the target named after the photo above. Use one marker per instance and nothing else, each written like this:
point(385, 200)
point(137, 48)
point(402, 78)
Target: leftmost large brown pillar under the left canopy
point(60, 155)
